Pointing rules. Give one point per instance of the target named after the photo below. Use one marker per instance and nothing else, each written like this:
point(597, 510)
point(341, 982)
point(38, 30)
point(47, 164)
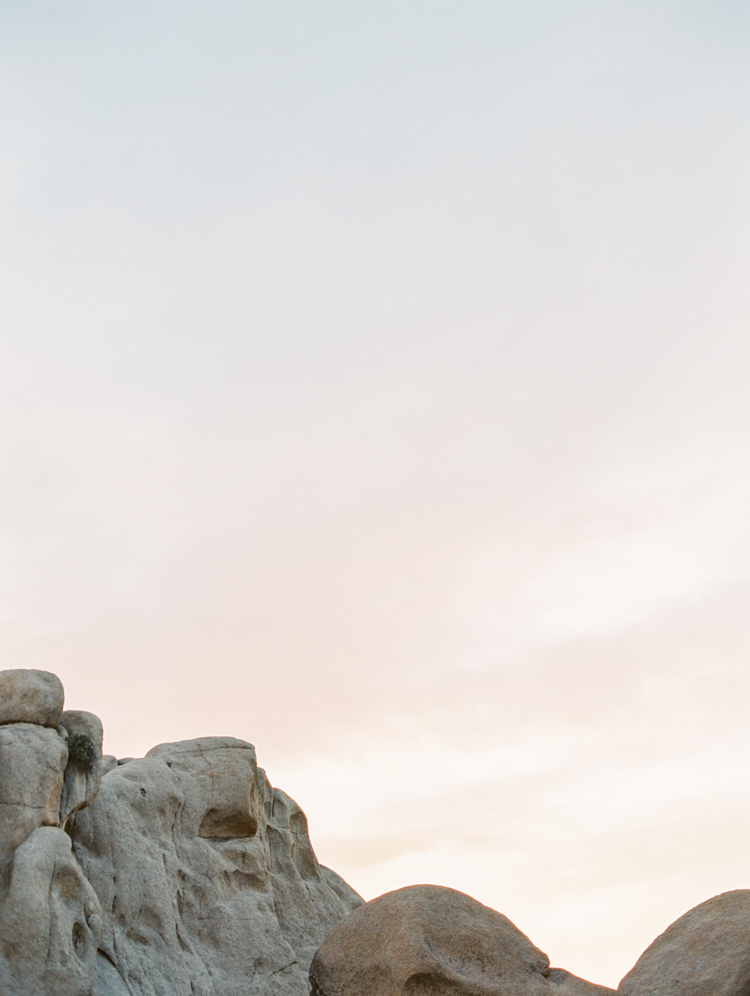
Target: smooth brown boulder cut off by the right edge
point(704, 953)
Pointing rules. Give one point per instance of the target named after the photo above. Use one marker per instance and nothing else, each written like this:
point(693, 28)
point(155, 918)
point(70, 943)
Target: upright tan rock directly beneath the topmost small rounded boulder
point(32, 766)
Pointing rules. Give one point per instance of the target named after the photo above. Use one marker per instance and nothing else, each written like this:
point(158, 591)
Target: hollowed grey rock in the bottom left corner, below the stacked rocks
point(50, 921)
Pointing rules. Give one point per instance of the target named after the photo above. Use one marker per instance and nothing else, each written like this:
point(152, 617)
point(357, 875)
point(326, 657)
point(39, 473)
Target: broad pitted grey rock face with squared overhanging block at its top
point(207, 879)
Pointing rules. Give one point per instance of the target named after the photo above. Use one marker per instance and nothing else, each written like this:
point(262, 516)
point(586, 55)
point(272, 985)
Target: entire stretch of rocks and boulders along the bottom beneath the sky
point(185, 873)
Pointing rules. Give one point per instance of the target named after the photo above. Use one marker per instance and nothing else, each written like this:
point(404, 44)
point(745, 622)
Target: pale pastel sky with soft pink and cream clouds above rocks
point(373, 388)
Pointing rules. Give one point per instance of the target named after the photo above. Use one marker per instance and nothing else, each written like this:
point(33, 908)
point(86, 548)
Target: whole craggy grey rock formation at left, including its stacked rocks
point(184, 873)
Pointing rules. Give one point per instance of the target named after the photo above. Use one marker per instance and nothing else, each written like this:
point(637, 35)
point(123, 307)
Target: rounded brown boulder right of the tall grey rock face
point(426, 940)
